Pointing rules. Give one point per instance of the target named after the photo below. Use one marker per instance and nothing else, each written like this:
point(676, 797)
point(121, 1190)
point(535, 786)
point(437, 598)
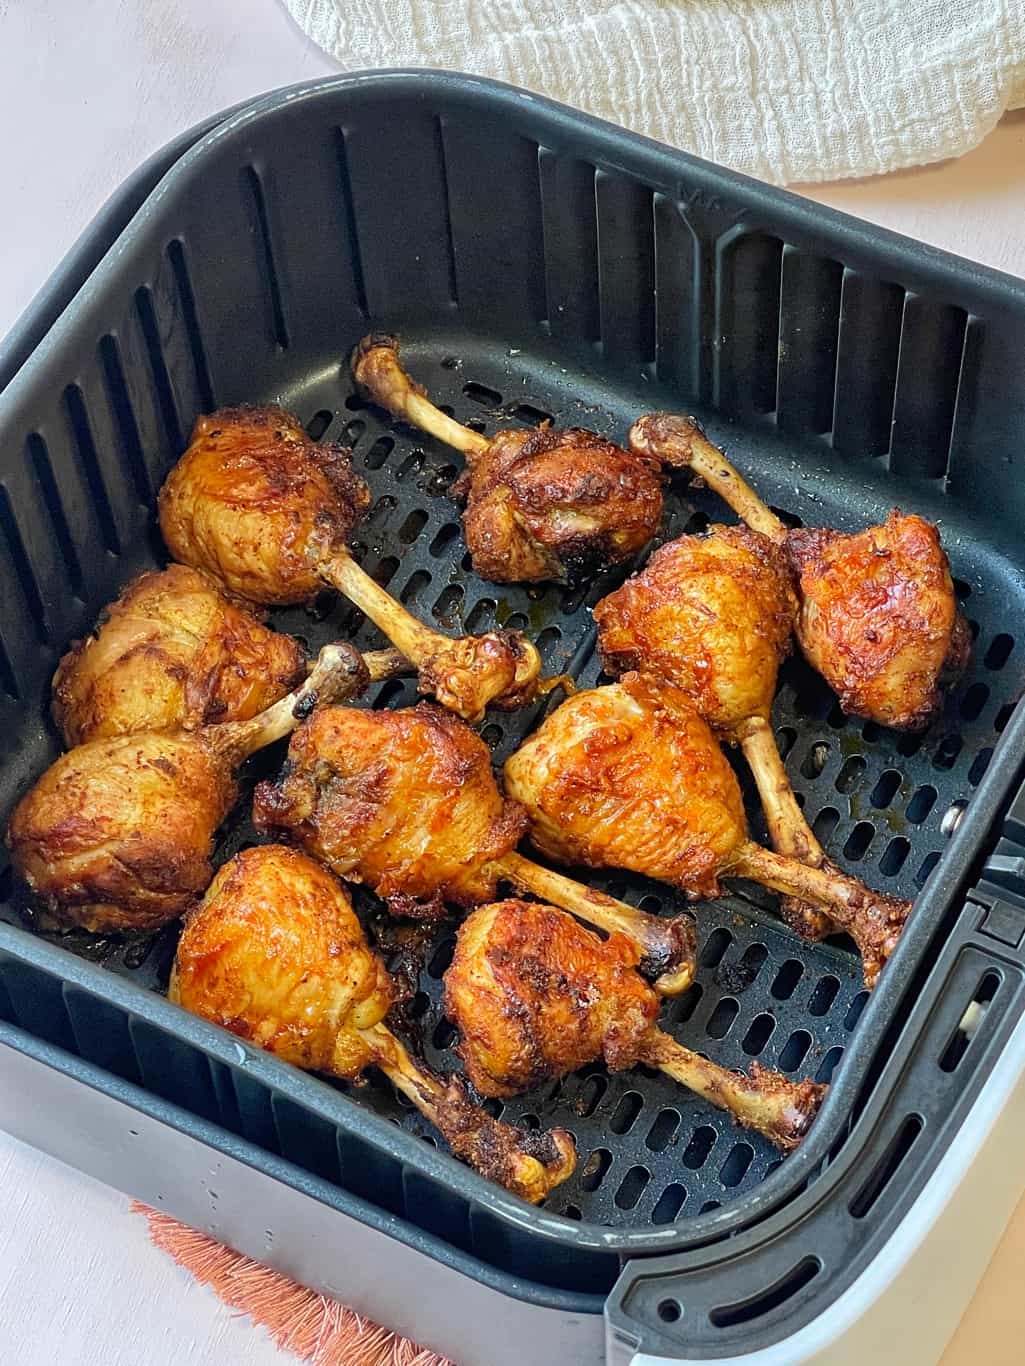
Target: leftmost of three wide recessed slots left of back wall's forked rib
point(571, 247)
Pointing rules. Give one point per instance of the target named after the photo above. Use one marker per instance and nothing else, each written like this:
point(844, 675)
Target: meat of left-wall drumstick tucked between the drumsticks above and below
point(172, 654)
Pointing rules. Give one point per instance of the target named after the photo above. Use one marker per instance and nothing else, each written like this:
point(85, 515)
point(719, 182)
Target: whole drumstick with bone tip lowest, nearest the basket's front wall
point(277, 956)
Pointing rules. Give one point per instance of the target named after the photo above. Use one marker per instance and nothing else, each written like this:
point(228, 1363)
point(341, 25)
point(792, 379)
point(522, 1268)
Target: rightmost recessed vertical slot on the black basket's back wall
point(933, 339)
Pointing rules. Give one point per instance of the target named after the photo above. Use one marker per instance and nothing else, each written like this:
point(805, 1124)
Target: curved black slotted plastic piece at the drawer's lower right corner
point(748, 1293)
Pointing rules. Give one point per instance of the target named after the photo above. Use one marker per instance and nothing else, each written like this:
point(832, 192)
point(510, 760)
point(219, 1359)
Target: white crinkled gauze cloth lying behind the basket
point(789, 91)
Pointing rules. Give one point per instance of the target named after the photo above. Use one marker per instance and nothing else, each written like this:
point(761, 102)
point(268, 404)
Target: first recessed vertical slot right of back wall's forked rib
point(748, 323)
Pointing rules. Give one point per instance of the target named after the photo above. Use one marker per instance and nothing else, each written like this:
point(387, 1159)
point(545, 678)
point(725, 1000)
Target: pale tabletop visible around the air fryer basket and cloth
point(88, 89)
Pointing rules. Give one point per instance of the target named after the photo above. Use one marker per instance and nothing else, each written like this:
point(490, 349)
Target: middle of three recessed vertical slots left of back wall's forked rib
point(627, 268)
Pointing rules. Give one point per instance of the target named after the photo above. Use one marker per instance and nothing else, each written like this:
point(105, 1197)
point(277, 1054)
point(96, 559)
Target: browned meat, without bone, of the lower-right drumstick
point(535, 995)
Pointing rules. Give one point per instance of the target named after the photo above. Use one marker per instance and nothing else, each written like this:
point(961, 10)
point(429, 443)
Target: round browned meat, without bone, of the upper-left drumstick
point(260, 506)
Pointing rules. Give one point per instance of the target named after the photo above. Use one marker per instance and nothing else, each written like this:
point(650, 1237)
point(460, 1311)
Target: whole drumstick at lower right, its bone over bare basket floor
point(535, 996)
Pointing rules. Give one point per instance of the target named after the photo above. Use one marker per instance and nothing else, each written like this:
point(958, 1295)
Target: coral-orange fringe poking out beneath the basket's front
point(314, 1327)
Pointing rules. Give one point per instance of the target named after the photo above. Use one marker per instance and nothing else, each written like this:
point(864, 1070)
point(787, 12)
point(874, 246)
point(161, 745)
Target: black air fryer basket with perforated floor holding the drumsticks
point(539, 264)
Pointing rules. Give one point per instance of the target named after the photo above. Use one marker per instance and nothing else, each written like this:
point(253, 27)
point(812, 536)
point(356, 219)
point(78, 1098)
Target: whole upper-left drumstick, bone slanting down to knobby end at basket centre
point(269, 512)
